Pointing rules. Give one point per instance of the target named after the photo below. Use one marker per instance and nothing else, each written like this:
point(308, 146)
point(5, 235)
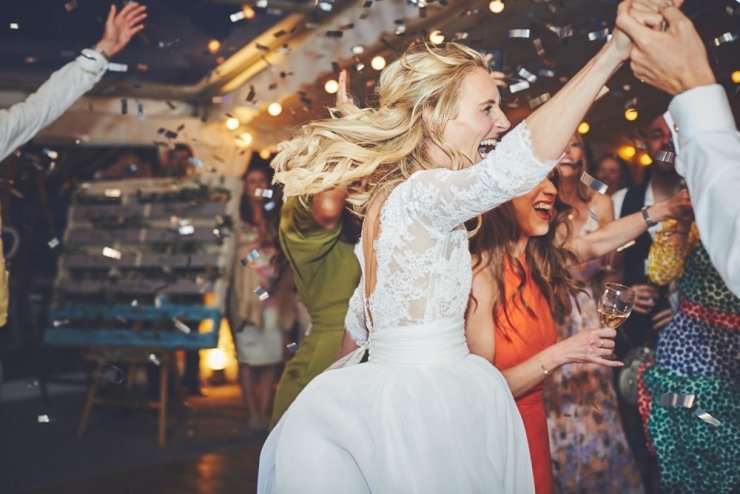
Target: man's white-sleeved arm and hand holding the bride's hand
point(708, 150)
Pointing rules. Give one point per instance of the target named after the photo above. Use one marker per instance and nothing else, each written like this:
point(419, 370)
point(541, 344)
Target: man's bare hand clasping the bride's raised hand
point(674, 60)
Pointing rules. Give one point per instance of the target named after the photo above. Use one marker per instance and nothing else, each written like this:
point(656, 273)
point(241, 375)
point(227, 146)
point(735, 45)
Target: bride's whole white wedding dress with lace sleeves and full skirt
point(423, 415)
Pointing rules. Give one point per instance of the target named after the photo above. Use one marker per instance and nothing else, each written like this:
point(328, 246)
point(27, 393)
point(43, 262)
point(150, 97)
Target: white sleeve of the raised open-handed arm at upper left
point(22, 121)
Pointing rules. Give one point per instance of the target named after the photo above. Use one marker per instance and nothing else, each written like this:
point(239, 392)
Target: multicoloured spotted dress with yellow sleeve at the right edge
point(697, 355)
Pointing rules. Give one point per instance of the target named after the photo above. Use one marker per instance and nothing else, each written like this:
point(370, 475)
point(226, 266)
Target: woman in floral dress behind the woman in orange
point(588, 447)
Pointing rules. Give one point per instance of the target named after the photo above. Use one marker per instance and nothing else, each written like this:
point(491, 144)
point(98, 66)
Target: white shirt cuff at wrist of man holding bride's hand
point(703, 108)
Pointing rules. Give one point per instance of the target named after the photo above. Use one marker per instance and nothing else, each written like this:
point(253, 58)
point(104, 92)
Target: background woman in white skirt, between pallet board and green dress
point(259, 325)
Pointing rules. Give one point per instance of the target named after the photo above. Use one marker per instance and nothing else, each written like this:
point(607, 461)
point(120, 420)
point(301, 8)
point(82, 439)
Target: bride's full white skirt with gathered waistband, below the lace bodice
point(421, 416)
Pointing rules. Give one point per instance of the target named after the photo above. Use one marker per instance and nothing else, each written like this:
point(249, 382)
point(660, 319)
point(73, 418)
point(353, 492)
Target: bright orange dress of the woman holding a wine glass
point(518, 339)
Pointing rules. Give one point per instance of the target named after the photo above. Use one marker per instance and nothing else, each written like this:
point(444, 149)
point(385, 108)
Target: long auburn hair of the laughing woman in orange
point(546, 256)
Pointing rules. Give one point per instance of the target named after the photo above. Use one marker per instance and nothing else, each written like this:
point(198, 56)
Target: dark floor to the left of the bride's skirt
point(209, 448)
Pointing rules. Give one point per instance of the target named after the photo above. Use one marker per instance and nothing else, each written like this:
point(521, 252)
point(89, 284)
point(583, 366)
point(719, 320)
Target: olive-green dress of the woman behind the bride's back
point(326, 273)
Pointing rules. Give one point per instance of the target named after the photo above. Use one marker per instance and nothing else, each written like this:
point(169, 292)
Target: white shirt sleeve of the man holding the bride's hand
point(709, 159)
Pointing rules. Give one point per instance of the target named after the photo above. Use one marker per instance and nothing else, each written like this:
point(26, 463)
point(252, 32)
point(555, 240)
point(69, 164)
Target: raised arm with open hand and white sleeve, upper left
point(22, 121)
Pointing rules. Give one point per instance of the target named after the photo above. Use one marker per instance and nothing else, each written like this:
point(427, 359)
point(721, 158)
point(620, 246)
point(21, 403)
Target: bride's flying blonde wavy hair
point(366, 150)
